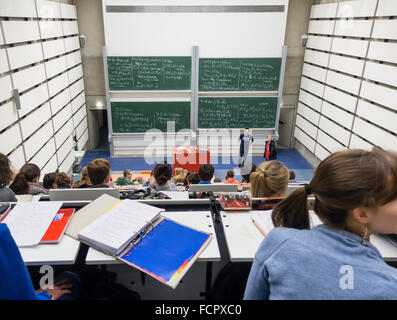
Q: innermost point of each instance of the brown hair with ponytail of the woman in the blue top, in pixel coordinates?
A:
(343, 181)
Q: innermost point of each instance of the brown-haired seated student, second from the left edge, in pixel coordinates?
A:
(27, 181)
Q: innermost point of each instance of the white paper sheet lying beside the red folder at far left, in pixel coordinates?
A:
(29, 221)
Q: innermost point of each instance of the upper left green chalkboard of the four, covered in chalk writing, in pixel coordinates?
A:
(149, 73)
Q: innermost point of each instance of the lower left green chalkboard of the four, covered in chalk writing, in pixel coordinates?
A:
(143, 116)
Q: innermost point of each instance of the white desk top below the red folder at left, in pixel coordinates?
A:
(62, 253)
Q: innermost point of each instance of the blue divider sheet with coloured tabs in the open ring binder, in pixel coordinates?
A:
(166, 250)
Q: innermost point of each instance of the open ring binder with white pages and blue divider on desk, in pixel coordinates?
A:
(138, 235)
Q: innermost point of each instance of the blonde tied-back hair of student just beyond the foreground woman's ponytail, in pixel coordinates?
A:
(270, 179)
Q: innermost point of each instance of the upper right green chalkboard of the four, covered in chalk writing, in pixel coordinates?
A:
(239, 74)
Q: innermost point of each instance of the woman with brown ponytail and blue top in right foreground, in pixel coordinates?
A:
(355, 196)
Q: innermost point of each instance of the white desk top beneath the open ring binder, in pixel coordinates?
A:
(200, 220)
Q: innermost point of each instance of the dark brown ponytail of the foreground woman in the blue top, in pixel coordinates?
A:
(295, 203)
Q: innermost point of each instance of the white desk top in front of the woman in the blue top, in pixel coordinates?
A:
(243, 238)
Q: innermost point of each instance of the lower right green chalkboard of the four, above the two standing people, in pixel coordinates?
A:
(255, 112)
